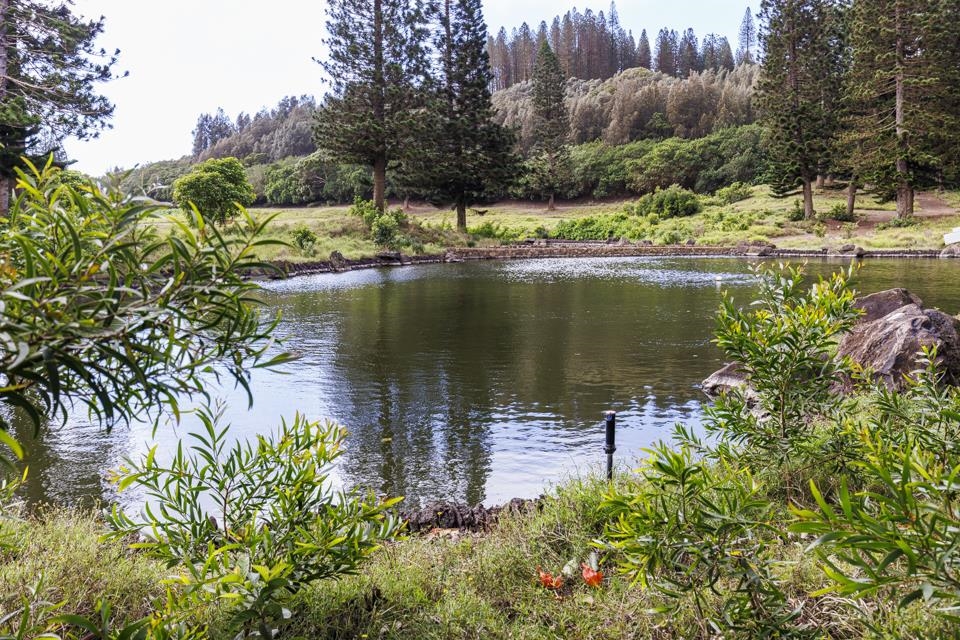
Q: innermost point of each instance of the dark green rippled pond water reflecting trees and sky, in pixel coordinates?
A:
(480, 382)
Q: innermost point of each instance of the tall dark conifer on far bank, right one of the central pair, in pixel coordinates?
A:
(468, 156)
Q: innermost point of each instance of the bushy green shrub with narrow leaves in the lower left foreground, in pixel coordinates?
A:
(252, 524)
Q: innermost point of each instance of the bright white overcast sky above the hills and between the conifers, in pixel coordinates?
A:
(187, 57)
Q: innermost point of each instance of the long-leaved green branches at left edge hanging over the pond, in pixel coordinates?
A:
(103, 311)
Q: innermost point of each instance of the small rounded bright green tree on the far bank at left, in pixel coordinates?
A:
(216, 187)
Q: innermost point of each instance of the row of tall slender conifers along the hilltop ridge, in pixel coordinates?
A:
(596, 46)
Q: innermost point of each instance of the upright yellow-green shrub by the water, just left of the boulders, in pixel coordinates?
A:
(784, 344)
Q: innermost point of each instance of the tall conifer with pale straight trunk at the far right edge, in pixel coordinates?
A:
(905, 94)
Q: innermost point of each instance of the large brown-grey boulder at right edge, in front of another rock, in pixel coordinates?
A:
(888, 346)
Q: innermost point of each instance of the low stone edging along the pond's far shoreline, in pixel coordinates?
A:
(539, 249)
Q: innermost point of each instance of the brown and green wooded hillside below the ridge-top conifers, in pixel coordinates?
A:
(639, 117)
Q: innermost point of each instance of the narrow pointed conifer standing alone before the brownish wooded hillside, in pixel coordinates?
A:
(551, 125)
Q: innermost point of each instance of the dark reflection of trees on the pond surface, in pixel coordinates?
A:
(428, 367)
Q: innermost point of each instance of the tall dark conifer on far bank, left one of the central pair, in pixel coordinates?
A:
(377, 67)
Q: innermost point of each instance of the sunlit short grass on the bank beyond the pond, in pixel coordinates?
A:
(760, 218)
